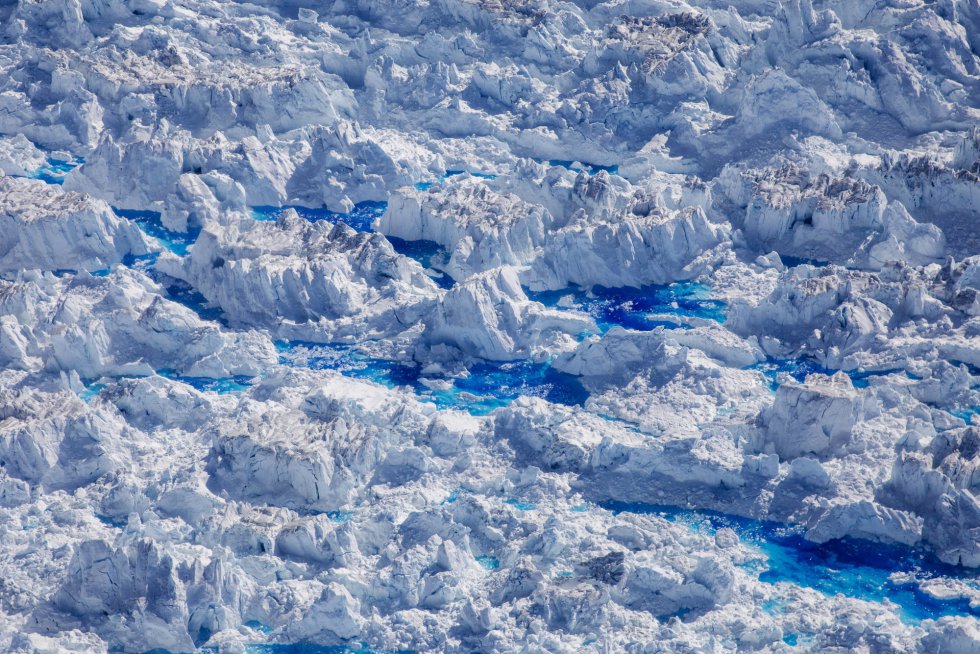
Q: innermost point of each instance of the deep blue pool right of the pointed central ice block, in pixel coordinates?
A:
(635, 308)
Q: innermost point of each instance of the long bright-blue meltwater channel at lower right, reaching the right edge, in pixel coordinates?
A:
(855, 568)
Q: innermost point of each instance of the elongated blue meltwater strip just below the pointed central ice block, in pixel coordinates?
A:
(488, 386)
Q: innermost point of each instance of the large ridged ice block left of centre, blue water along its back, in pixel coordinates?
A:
(292, 270)
